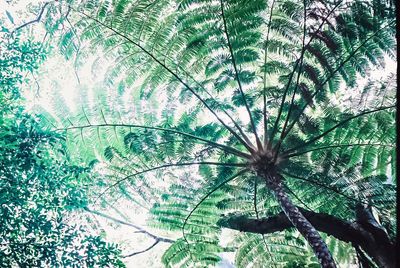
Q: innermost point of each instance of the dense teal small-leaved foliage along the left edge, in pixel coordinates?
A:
(39, 187)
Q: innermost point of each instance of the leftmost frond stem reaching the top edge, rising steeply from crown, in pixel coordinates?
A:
(259, 145)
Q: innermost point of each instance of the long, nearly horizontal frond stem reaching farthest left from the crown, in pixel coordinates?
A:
(224, 147)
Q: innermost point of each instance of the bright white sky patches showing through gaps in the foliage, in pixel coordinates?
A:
(61, 76)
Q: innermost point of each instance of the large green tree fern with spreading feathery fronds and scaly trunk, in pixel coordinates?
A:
(255, 93)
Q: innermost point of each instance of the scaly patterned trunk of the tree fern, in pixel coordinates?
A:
(301, 223)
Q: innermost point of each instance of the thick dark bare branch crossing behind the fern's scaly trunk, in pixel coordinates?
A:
(360, 233)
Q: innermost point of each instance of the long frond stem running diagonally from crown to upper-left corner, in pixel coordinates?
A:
(173, 74)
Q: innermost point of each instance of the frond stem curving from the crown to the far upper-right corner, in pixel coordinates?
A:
(331, 76)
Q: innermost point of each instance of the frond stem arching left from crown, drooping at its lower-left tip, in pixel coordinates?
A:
(167, 166)
